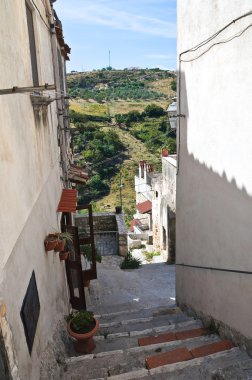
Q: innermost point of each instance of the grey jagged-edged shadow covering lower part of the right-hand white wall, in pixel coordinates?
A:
(213, 238)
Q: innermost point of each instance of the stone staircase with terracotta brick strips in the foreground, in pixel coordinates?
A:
(158, 343)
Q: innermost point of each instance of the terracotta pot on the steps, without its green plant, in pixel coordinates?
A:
(84, 341)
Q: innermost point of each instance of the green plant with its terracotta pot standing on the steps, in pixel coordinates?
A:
(82, 326)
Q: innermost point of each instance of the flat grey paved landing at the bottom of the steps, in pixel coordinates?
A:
(152, 285)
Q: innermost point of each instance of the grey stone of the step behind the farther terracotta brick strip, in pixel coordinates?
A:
(124, 340)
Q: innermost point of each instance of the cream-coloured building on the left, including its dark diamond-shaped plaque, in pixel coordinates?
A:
(35, 161)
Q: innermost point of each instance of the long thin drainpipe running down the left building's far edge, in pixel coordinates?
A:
(59, 101)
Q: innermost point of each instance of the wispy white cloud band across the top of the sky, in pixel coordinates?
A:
(100, 14)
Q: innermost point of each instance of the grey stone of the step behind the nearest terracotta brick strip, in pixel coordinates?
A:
(111, 363)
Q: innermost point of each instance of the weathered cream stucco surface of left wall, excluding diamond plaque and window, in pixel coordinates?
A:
(30, 186)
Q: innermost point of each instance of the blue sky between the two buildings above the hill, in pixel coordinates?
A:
(138, 33)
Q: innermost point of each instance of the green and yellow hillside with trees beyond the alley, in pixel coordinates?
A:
(119, 118)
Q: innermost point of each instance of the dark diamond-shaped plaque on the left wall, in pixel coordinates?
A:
(30, 311)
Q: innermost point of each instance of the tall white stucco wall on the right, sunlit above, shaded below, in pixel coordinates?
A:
(214, 183)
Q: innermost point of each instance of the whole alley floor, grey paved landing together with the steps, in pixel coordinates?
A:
(144, 335)
